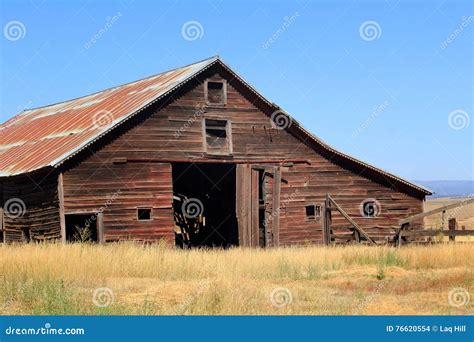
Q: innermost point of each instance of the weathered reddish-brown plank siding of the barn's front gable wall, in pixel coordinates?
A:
(176, 132)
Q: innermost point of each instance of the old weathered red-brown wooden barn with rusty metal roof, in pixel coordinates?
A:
(194, 156)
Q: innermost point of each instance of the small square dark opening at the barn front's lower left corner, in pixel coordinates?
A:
(81, 227)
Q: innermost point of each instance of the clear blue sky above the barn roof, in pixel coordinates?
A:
(379, 80)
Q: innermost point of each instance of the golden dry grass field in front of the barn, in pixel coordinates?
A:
(61, 279)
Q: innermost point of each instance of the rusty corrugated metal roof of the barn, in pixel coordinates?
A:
(47, 136)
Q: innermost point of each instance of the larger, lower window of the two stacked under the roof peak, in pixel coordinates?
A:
(217, 136)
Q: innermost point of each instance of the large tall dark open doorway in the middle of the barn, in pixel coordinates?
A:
(204, 205)
